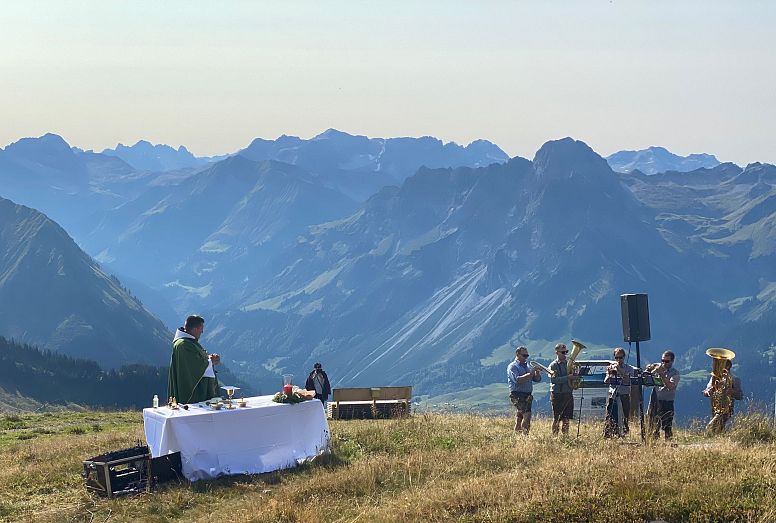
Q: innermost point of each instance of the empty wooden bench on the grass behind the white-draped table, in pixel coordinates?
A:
(370, 402)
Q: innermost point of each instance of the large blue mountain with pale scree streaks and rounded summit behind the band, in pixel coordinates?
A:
(457, 263)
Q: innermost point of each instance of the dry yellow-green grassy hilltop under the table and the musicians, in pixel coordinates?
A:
(428, 468)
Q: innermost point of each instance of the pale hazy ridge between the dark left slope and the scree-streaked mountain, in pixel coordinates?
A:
(209, 234)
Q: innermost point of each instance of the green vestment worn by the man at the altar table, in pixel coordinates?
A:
(187, 366)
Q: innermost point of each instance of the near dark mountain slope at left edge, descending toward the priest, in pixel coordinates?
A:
(55, 296)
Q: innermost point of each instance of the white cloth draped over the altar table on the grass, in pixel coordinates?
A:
(262, 437)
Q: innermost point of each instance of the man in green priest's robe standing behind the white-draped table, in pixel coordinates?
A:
(192, 378)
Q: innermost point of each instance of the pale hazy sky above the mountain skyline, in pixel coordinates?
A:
(691, 76)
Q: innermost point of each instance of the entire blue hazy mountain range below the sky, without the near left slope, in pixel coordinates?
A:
(410, 261)
